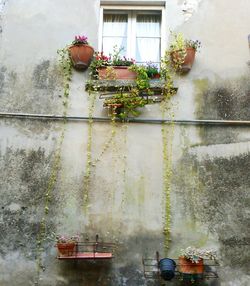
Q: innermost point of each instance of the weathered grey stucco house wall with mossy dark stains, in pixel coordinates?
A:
(45, 168)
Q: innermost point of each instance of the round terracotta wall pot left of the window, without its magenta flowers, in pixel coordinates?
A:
(81, 56)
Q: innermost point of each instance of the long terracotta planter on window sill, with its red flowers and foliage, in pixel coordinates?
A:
(111, 67)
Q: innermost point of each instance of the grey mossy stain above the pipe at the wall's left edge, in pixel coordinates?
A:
(36, 91)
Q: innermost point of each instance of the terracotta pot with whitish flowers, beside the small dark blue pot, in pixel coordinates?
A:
(191, 259)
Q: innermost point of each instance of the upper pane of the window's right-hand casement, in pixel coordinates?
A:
(148, 25)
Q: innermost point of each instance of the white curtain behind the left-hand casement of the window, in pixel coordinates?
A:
(115, 32)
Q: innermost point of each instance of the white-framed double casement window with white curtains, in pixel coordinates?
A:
(138, 30)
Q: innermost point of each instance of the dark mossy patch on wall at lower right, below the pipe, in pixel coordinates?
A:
(224, 202)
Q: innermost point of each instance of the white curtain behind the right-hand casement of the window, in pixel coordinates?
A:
(148, 38)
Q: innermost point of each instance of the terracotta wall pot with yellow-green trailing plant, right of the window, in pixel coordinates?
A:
(181, 53)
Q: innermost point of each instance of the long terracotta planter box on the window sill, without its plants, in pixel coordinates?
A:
(116, 72)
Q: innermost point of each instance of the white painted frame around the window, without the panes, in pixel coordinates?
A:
(131, 52)
